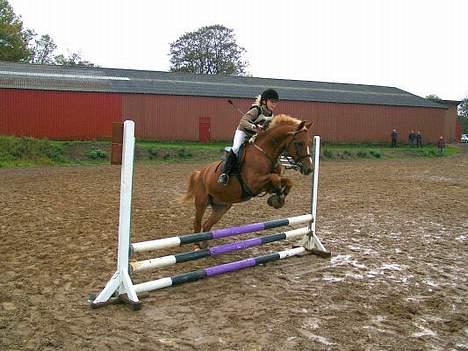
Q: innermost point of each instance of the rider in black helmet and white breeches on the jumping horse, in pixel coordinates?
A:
(256, 118)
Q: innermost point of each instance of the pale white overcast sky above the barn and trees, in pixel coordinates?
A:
(416, 45)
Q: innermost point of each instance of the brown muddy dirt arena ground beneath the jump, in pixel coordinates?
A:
(397, 279)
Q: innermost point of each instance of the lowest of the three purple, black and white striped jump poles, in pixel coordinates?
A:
(215, 270)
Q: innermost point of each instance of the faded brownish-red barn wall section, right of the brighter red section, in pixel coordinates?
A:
(177, 118)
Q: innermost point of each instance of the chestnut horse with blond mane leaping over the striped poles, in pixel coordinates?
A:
(260, 172)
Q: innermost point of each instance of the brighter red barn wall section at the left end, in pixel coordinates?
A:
(58, 115)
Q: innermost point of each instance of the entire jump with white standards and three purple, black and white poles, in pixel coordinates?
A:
(120, 288)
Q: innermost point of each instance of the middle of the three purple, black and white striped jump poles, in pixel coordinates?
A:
(215, 250)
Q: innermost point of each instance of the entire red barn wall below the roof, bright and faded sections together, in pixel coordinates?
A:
(79, 115)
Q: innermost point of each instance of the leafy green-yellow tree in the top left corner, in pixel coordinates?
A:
(13, 37)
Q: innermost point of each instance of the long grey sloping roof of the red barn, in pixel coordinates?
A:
(97, 79)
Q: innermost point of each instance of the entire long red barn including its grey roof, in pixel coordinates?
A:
(70, 103)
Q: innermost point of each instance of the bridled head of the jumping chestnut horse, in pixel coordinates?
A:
(299, 147)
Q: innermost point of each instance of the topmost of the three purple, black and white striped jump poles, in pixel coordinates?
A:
(217, 234)
